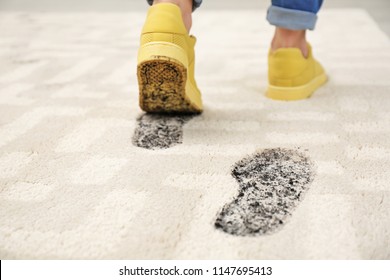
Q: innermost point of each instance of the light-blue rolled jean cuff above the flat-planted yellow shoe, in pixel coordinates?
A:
(291, 19)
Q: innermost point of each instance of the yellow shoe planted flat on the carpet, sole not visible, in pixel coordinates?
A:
(291, 76)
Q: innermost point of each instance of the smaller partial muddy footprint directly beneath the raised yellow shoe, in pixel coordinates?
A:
(159, 131)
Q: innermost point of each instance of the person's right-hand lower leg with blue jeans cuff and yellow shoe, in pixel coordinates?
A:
(293, 72)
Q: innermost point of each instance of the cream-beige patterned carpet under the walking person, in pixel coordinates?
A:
(74, 184)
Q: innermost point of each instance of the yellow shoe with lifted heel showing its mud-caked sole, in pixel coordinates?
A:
(166, 60)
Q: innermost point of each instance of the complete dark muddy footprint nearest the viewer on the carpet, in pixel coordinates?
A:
(272, 183)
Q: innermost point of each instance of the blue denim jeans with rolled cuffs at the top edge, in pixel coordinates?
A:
(289, 14)
